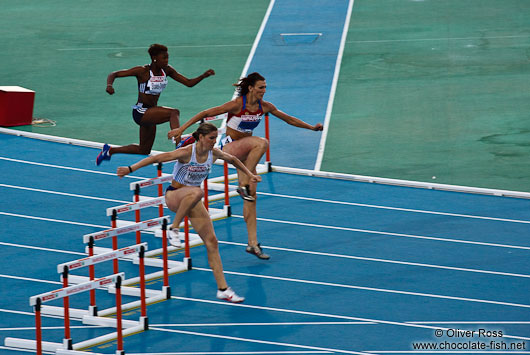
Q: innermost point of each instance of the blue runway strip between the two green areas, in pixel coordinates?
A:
(288, 42)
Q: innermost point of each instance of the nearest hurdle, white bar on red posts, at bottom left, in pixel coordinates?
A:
(65, 293)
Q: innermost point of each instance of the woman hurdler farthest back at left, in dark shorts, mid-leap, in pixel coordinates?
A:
(152, 79)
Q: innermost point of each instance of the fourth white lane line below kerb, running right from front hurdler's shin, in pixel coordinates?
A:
(373, 289)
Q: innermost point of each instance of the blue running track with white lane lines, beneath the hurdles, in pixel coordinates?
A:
(355, 267)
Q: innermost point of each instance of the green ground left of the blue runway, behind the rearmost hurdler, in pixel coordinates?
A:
(64, 50)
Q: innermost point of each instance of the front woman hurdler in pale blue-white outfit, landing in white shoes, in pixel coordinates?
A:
(184, 195)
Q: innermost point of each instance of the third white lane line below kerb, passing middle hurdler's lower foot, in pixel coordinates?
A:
(385, 260)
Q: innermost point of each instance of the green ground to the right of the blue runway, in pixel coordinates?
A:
(435, 88)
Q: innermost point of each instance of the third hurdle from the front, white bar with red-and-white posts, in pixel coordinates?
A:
(168, 267)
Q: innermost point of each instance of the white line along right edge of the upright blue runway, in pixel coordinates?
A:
(331, 98)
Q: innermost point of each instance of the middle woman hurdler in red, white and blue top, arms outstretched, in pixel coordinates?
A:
(244, 114)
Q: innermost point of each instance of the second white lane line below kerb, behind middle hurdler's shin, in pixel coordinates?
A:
(390, 233)
